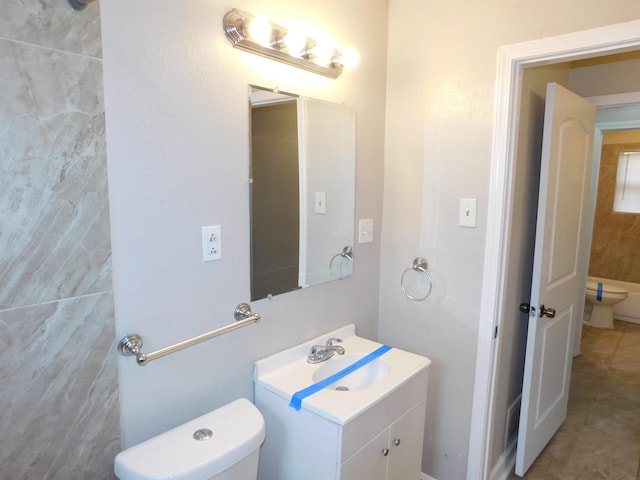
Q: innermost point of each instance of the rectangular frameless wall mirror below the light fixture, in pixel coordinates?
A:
(302, 171)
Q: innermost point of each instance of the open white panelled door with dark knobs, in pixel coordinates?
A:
(557, 272)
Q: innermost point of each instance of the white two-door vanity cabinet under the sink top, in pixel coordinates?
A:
(383, 442)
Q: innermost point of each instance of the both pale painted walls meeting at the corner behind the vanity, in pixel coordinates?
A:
(177, 150)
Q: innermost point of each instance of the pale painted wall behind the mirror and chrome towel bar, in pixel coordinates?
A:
(177, 138)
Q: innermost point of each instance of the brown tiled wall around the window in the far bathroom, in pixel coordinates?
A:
(616, 236)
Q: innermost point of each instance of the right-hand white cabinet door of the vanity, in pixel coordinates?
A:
(405, 439)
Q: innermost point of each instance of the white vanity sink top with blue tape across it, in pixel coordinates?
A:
(288, 372)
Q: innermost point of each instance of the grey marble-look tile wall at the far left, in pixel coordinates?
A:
(58, 381)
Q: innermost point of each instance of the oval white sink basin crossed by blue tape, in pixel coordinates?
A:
(364, 377)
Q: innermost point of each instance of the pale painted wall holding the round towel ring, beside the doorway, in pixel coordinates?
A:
(442, 60)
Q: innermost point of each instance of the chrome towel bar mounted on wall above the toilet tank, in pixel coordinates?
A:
(131, 344)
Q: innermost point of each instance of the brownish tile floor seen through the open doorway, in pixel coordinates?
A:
(600, 439)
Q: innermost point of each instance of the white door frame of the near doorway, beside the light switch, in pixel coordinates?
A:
(512, 59)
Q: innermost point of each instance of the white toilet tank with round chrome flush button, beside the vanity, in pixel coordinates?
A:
(221, 445)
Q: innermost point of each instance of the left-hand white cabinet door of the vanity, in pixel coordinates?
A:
(370, 462)
